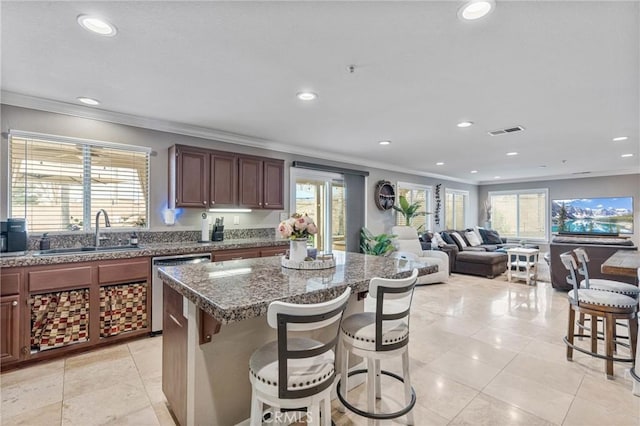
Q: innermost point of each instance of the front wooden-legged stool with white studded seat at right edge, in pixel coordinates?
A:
(598, 304)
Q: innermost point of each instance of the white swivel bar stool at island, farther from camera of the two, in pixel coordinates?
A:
(377, 336)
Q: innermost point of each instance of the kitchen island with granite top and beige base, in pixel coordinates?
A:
(219, 315)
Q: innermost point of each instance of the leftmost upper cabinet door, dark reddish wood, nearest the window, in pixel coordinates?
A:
(192, 178)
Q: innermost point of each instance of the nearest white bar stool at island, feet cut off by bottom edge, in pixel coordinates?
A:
(297, 372)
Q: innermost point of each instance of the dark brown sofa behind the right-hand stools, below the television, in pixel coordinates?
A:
(598, 249)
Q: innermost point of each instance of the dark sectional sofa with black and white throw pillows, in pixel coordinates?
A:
(482, 254)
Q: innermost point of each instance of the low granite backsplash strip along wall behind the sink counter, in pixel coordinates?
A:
(144, 237)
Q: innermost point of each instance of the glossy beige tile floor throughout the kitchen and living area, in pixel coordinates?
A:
(483, 352)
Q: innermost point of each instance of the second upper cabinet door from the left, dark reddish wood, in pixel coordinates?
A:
(224, 180)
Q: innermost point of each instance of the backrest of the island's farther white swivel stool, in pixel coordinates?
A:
(395, 295)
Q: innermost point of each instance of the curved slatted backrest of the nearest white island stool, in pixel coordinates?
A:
(290, 317)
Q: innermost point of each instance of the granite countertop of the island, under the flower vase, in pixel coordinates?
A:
(241, 289)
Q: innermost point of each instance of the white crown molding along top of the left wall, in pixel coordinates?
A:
(49, 105)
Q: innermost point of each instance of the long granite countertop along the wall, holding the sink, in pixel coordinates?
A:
(31, 258)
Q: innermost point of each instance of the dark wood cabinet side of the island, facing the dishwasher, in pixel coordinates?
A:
(174, 354)
